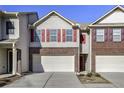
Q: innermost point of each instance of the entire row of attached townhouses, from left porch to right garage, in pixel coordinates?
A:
(54, 43)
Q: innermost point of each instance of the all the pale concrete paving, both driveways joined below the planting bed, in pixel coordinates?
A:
(64, 80)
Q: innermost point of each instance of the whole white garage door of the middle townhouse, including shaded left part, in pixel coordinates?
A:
(53, 63)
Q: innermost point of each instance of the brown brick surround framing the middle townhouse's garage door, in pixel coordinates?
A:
(54, 52)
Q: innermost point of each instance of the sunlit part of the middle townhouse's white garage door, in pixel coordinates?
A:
(58, 63)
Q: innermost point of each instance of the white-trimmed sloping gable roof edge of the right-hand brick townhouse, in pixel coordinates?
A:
(107, 14)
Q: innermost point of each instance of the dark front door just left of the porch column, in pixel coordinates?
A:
(10, 61)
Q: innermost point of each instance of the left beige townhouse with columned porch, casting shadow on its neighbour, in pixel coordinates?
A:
(14, 41)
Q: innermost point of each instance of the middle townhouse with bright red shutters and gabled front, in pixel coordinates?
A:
(54, 45)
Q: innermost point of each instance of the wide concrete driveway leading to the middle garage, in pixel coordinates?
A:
(47, 80)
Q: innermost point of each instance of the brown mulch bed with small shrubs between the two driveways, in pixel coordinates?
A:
(84, 79)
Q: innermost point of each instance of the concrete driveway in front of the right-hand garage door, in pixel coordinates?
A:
(117, 78)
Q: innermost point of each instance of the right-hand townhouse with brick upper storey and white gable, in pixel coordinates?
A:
(108, 42)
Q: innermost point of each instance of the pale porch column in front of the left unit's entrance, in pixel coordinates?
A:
(14, 67)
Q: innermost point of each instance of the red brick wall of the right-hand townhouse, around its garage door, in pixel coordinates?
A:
(106, 48)
